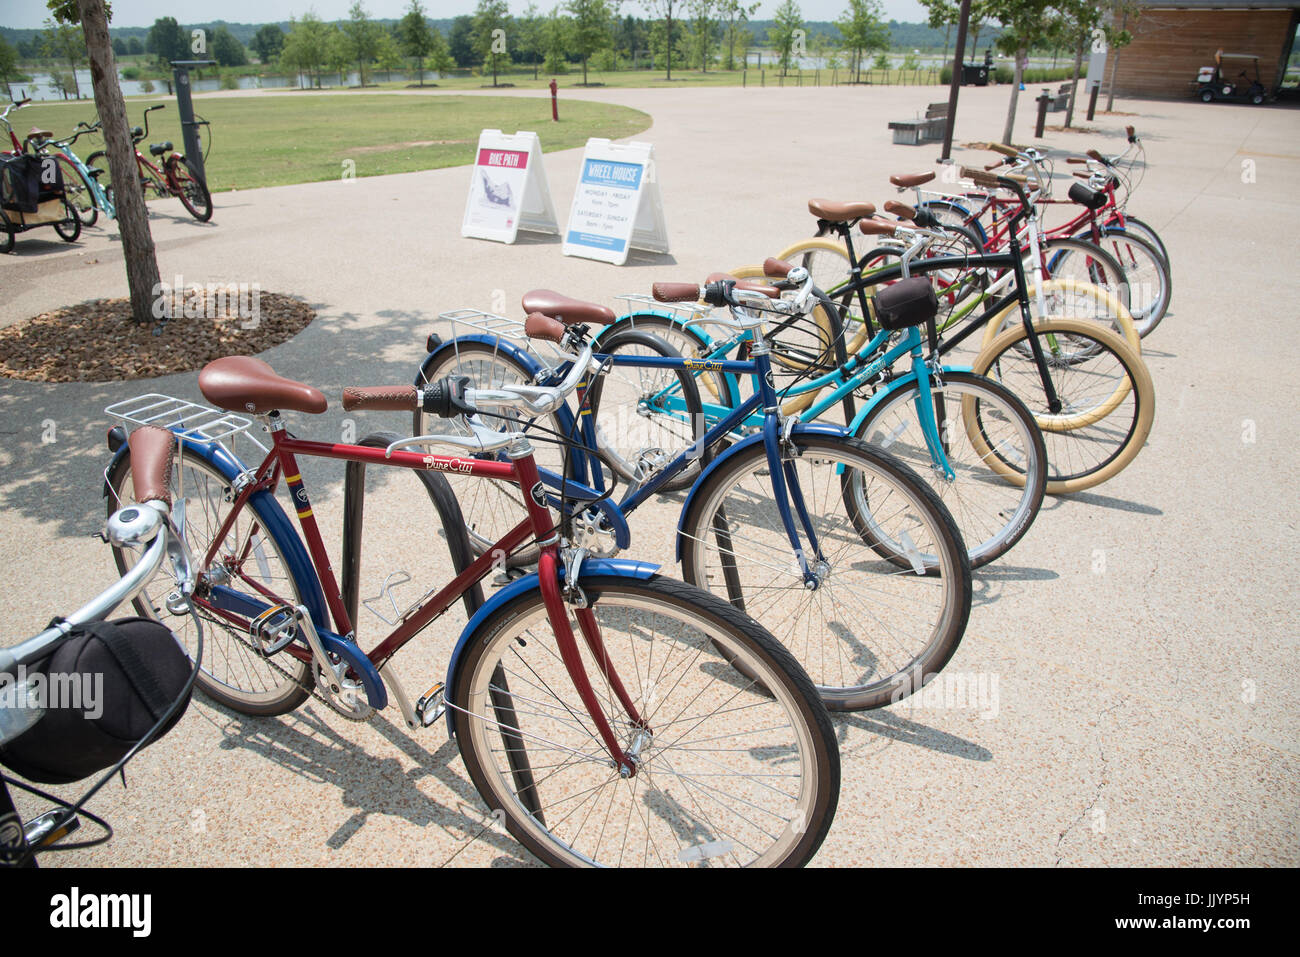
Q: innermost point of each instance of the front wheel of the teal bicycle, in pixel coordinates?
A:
(998, 454)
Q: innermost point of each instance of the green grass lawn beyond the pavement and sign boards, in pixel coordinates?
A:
(280, 140)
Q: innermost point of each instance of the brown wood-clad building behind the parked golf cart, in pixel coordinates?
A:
(1175, 38)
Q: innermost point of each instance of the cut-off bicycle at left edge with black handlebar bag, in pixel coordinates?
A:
(150, 529)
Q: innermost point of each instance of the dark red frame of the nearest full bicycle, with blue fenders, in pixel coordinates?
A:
(281, 465)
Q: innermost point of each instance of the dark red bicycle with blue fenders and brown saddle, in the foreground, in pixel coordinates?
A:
(673, 731)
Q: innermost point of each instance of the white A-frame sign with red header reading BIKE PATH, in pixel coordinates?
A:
(509, 190)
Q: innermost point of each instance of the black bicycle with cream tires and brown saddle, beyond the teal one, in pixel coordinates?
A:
(1089, 389)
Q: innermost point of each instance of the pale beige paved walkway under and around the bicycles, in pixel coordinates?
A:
(1142, 636)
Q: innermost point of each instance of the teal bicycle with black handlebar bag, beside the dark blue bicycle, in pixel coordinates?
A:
(977, 444)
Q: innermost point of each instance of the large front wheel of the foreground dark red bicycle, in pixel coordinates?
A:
(736, 759)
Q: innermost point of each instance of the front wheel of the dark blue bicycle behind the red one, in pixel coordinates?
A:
(735, 504)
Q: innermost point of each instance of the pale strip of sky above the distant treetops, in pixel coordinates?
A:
(32, 14)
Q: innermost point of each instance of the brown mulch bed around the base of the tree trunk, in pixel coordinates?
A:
(101, 343)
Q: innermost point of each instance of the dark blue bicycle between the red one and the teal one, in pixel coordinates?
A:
(835, 545)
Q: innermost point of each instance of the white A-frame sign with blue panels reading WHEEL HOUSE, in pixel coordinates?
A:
(617, 205)
